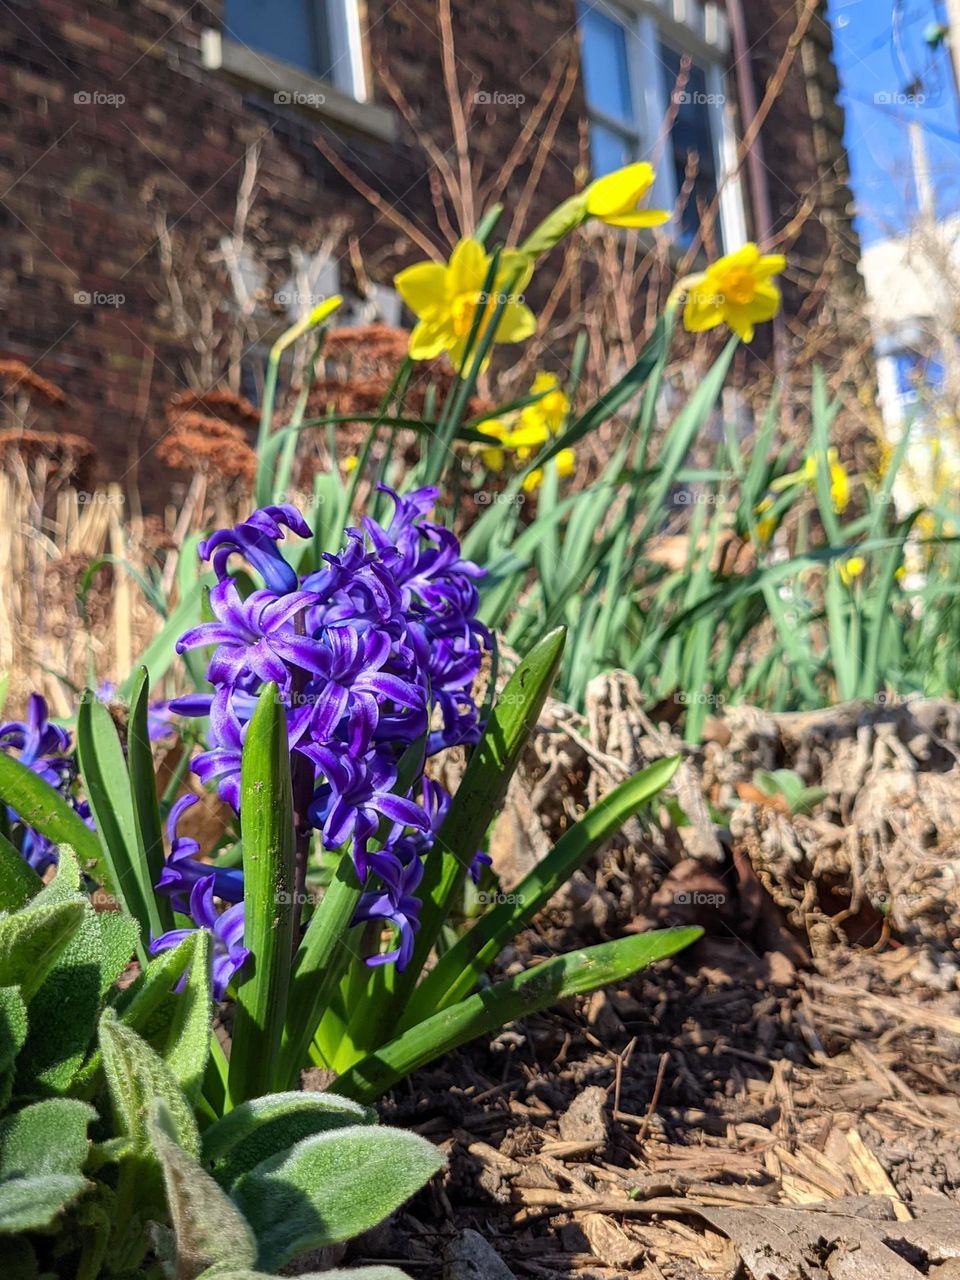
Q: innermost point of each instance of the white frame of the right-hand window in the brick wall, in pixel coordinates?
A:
(701, 33)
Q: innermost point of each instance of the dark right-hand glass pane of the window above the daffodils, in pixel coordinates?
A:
(693, 134)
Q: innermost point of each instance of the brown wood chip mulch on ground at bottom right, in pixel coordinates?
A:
(723, 1117)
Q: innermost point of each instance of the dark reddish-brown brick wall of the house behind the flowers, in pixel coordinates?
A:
(84, 182)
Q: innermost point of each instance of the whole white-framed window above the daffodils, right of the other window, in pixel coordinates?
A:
(633, 62)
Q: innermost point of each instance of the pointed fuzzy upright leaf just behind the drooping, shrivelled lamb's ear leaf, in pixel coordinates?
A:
(138, 1077)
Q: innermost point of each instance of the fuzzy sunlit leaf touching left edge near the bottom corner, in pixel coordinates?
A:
(45, 1139)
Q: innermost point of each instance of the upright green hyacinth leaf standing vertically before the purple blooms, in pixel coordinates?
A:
(269, 893)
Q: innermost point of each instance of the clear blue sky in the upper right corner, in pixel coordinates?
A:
(875, 71)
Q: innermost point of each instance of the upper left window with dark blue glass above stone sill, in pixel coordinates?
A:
(317, 36)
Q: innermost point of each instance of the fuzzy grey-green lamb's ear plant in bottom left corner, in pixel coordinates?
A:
(112, 1163)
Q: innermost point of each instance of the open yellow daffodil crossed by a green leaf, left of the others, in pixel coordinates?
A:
(447, 299)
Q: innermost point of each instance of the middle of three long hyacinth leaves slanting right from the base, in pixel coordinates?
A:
(458, 972)
